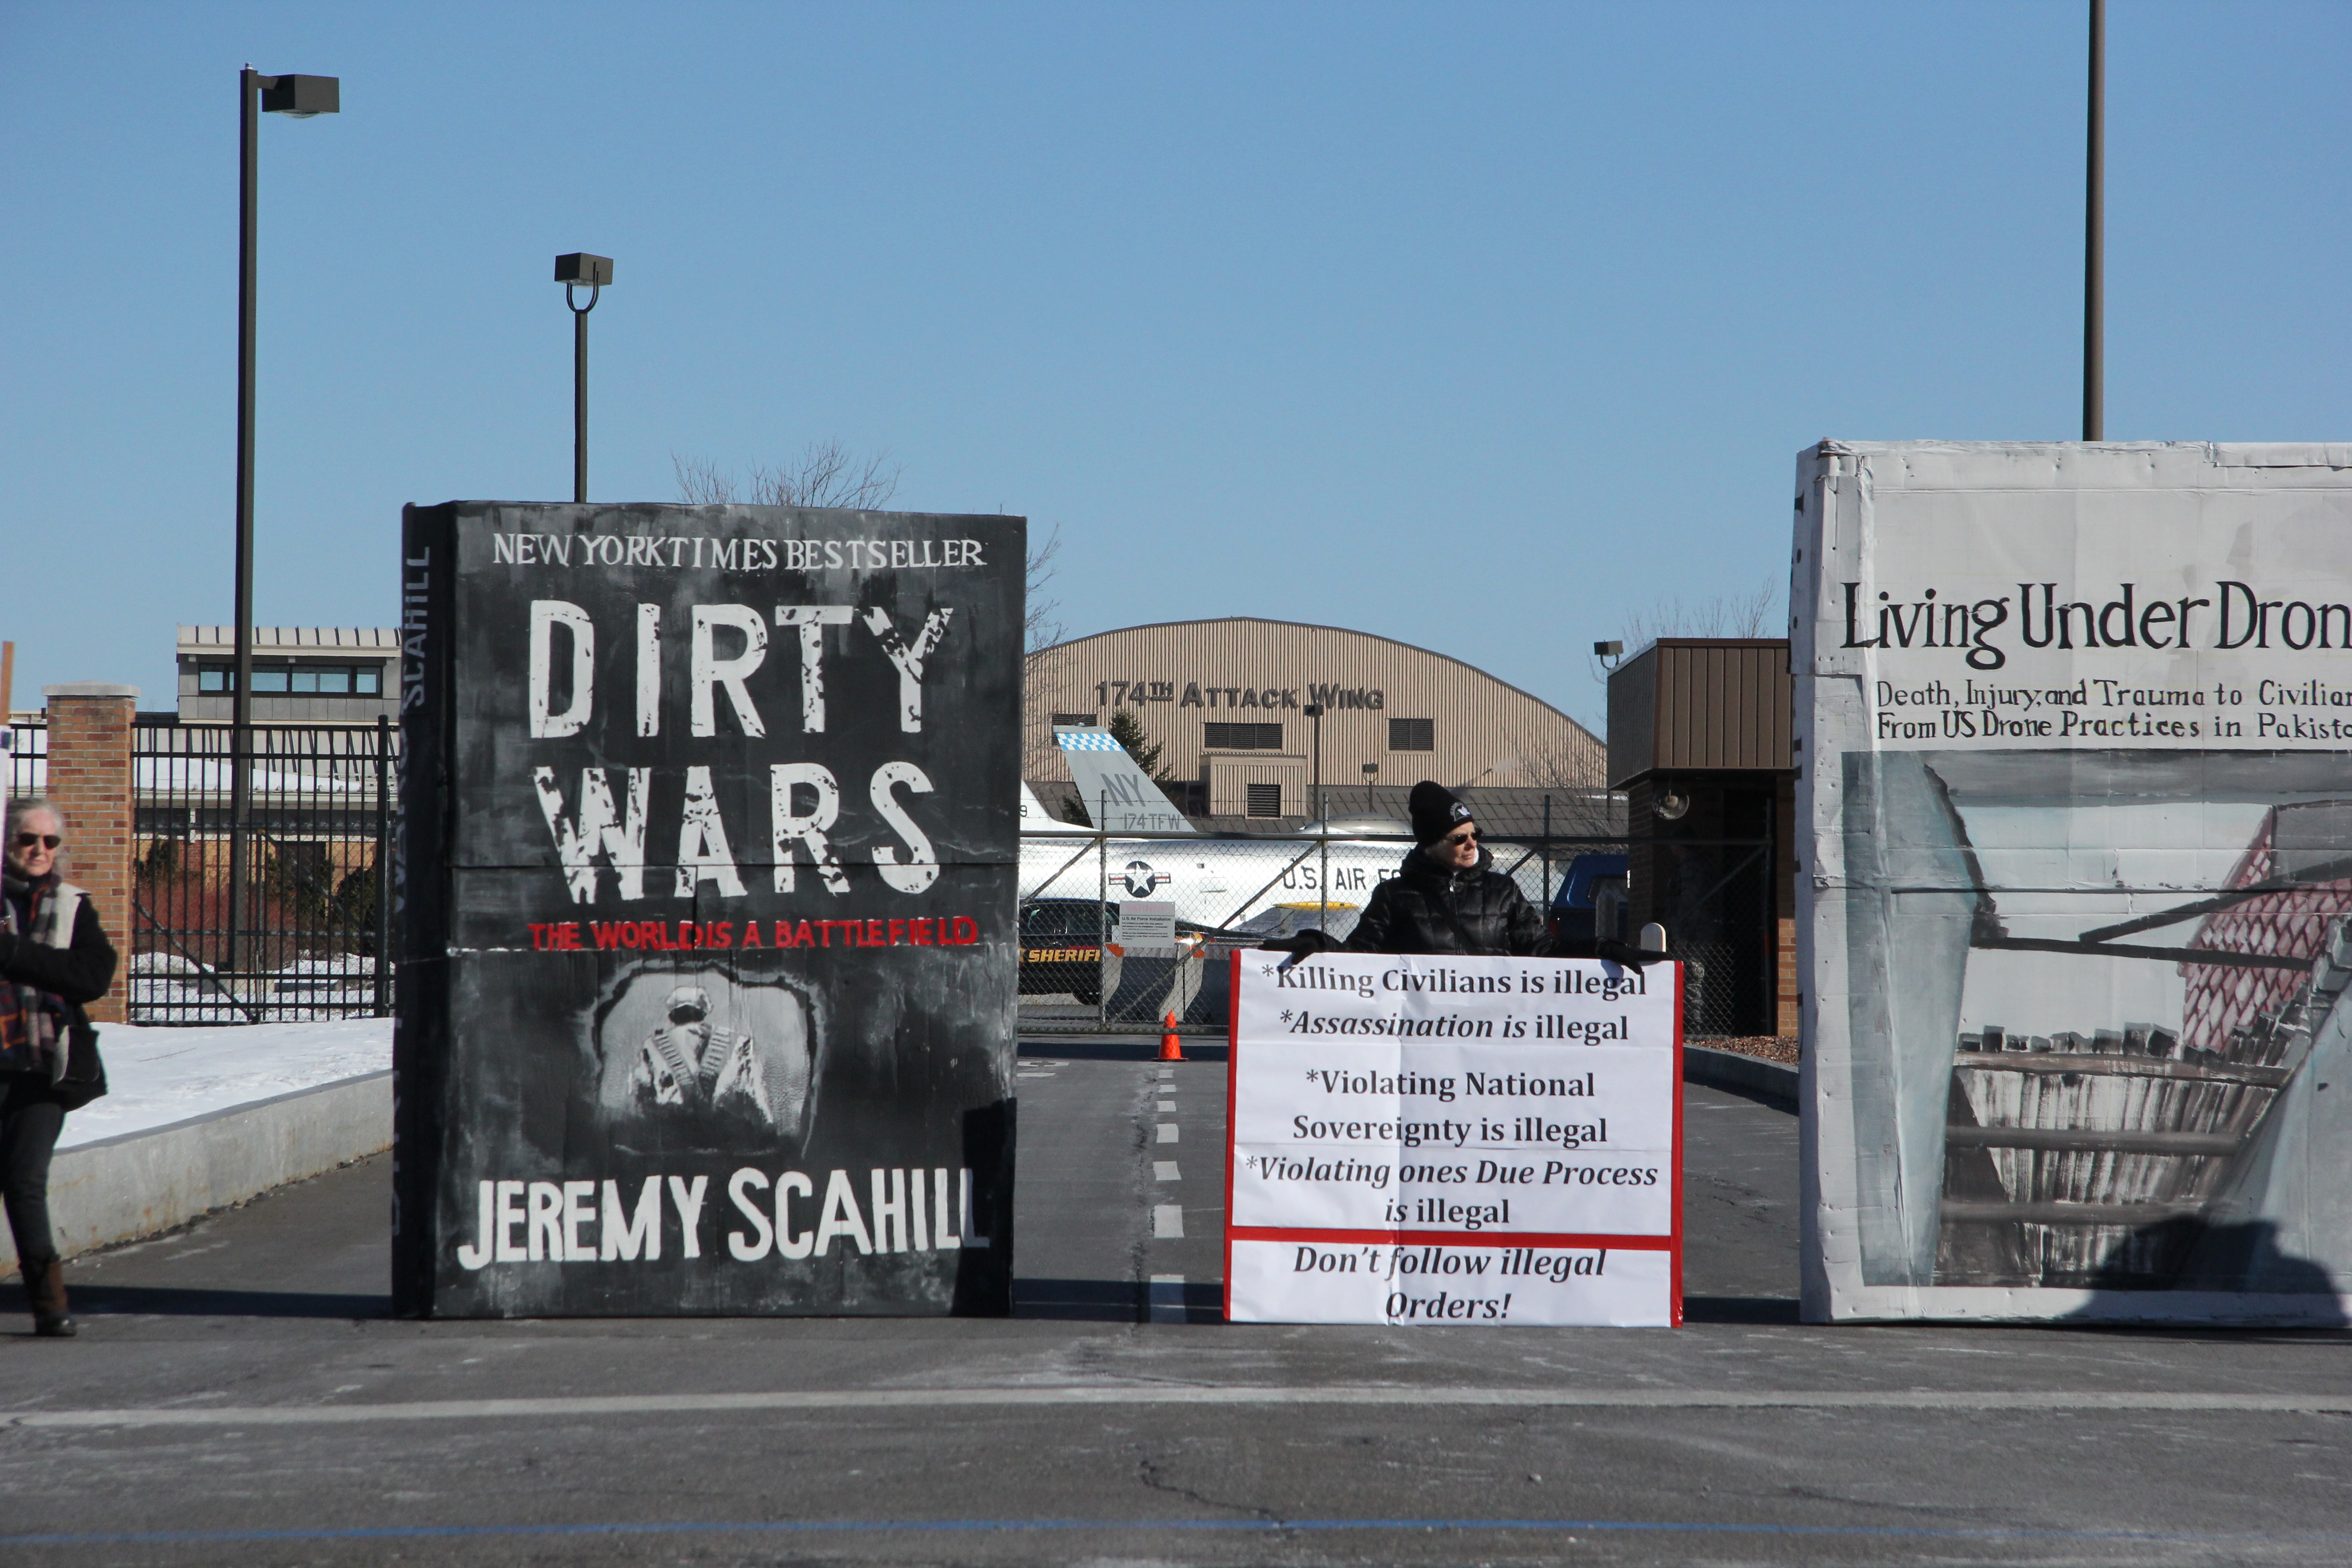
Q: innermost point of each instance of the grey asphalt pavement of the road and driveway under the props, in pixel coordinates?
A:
(241, 1395)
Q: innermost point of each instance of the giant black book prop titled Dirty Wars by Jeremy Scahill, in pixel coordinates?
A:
(707, 911)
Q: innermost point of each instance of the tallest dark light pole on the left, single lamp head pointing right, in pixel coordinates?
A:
(295, 98)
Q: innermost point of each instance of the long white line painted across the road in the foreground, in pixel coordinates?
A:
(1198, 1395)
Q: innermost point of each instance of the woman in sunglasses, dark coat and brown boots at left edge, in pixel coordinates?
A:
(53, 963)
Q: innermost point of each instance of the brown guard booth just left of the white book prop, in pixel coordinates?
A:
(1699, 742)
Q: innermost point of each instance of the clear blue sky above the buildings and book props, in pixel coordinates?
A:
(1474, 326)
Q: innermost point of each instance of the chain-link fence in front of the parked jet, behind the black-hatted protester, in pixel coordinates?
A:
(1095, 963)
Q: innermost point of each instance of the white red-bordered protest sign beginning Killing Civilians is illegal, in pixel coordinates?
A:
(1455, 1141)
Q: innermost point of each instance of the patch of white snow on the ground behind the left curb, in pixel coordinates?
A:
(159, 1078)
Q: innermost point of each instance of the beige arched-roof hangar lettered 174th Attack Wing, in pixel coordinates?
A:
(1227, 704)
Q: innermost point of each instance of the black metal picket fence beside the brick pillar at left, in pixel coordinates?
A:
(321, 808)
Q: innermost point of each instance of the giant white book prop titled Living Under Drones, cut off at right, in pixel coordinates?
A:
(2076, 822)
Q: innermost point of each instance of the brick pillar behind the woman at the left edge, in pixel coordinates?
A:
(91, 784)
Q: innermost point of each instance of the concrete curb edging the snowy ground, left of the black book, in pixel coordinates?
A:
(142, 1184)
